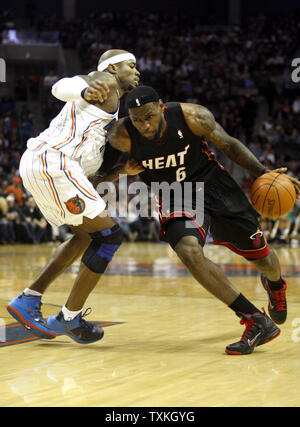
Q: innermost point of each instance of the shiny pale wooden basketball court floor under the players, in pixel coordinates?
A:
(164, 339)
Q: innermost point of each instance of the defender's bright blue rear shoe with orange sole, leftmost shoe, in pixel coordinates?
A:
(27, 311)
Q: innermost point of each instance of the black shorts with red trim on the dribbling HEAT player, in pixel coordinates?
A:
(227, 215)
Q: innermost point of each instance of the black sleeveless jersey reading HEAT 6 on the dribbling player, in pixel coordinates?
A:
(178, 156)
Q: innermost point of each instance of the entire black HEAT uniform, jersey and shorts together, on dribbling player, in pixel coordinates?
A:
(184, 157)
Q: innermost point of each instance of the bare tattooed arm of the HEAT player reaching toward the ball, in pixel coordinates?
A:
(202, 123)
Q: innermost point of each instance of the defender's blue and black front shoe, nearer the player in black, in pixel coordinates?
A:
(78, 329)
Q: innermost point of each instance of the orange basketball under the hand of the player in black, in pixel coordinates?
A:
(273, 195)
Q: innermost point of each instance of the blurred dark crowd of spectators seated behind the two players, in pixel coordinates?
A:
(242, 74)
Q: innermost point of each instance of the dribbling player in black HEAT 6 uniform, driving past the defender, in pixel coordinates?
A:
(169, 142)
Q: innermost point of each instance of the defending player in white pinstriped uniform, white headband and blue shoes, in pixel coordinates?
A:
(55, 169)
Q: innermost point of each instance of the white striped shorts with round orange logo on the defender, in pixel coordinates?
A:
(60, 189)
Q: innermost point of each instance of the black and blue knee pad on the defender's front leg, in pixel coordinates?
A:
(102, 248)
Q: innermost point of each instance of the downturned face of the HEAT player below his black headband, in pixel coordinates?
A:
(149, 120)
